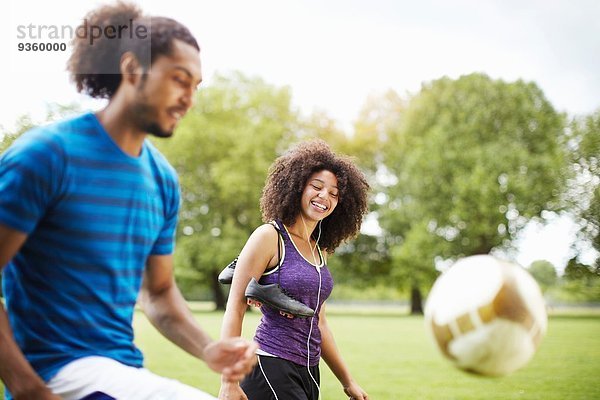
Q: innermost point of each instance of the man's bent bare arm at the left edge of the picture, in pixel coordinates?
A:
(16, 373)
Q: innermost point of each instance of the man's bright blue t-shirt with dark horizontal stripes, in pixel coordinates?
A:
(93, 215)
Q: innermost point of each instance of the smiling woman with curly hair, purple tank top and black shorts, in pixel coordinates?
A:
(314, 200)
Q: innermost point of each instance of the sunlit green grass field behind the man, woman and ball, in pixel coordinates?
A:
(392, 357)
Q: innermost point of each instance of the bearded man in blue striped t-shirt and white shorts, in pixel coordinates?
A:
(88, 210)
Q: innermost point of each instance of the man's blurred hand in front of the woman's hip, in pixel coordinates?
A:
(233, 357)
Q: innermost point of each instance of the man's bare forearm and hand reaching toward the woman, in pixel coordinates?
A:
(167, 310)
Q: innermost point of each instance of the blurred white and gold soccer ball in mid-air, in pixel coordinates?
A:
(487, 316)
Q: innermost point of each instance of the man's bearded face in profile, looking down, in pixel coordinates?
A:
(165, 93)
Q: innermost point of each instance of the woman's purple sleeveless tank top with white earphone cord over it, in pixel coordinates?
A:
(288, 338)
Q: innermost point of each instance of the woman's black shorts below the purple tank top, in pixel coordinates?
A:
(289, 380)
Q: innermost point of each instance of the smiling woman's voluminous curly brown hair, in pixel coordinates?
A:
(288, 176)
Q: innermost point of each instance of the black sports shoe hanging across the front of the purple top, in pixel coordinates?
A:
(273, 295)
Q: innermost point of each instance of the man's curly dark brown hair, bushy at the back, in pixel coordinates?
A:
(94, 67)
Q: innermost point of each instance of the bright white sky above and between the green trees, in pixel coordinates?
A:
(334, 54)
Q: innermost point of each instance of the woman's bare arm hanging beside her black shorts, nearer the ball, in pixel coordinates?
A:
(334, 361)
